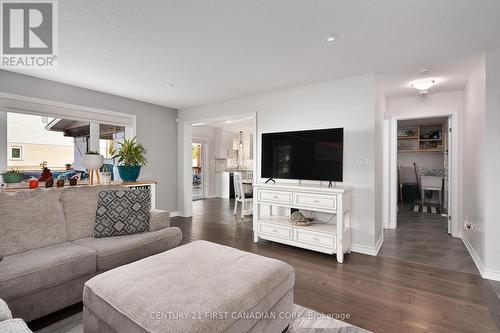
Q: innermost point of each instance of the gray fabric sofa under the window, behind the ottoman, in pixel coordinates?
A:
(46, 239)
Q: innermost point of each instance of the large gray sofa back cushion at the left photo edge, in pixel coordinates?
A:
(30, 220)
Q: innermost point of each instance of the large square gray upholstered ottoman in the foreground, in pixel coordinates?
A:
(198, 287)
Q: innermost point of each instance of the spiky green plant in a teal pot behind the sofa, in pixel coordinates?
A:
(131, 156)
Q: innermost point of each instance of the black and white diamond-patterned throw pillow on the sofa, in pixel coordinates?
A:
(122, 212)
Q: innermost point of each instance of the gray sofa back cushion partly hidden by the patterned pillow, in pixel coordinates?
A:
(80, 205)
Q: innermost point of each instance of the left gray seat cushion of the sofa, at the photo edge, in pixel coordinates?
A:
(34, 270)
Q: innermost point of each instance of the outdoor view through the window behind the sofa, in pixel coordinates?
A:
(34, 142)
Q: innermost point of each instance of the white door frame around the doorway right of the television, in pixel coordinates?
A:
(454, 168)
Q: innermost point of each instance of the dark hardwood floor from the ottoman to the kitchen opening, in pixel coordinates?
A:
(380, 294)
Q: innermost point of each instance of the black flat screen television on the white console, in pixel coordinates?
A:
(304, 155)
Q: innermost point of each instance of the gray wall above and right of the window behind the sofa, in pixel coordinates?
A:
(156, 125)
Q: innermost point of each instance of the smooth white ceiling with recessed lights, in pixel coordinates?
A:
(217, 50)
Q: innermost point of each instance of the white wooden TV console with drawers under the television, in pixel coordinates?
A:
(332, 237)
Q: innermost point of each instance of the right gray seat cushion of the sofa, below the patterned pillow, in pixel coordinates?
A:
(116, 251)
